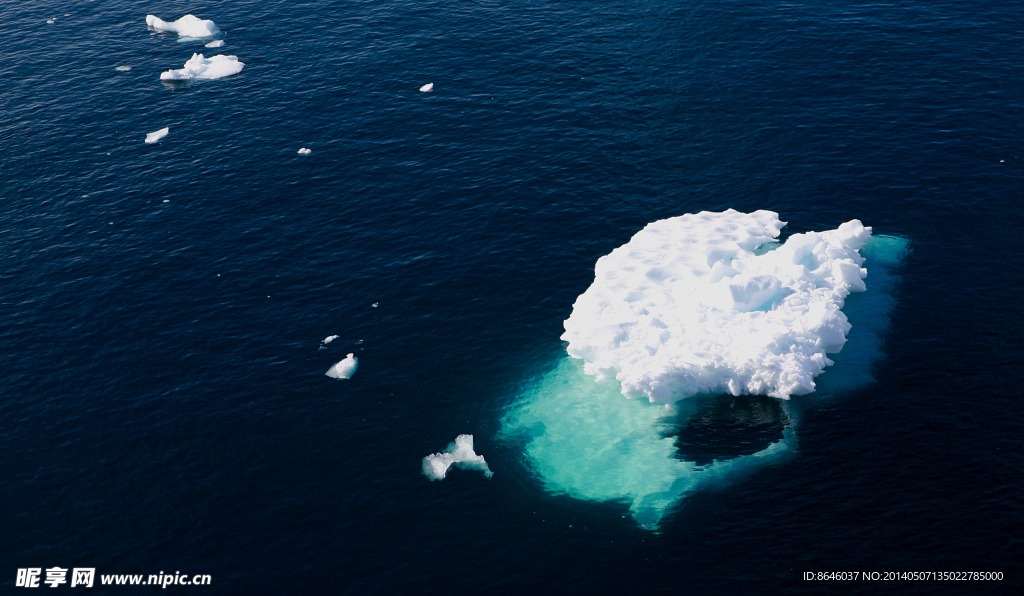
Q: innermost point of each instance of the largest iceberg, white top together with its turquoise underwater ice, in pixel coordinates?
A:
(698, 306)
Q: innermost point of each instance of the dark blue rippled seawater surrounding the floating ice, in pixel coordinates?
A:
(164, 407)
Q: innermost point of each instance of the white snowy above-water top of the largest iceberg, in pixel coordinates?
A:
(696, 305)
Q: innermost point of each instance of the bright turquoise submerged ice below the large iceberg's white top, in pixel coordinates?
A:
(584, 440)
